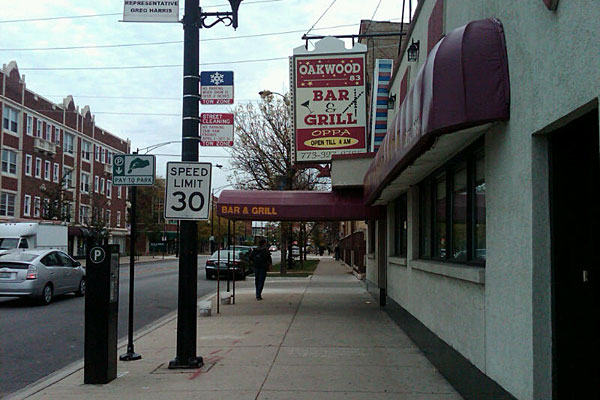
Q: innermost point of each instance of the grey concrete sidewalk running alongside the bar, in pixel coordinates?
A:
(319, 338)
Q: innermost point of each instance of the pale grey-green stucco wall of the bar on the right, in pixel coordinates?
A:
(504, 326)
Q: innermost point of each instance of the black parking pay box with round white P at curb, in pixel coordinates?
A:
(101, 311)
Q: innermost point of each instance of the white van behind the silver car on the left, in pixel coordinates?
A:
(31, 235)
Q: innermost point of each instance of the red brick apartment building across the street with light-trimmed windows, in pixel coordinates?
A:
(57, 148)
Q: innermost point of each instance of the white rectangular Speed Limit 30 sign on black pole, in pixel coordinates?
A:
(188, 190)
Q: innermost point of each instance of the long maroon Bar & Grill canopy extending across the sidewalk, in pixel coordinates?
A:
(295, 206)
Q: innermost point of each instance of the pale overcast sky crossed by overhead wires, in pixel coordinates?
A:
(276, 27)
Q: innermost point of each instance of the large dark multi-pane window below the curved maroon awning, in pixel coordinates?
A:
(452, 210)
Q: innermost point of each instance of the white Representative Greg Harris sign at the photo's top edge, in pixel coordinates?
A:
(151, 11)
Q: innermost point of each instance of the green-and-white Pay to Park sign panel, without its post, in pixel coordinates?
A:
(134, 170)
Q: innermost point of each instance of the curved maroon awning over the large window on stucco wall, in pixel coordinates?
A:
(464, 83)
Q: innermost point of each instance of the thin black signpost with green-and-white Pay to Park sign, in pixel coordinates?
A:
(133, 170)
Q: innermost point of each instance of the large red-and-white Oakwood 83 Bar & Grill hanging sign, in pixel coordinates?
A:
(330, 108)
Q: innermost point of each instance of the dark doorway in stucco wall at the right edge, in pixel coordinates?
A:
(575, 216)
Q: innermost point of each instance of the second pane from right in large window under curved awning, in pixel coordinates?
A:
(459, 213)
